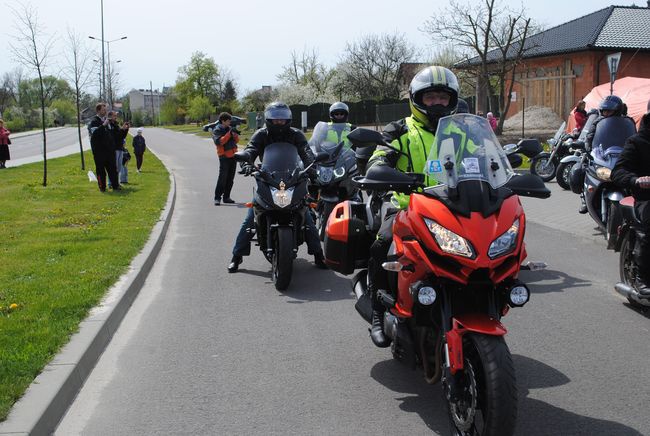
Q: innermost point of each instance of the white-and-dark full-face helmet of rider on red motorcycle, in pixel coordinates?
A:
(432, 78)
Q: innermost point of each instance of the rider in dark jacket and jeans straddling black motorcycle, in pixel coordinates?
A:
(277, 128)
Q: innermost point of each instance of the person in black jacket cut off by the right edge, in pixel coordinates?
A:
(632, 171)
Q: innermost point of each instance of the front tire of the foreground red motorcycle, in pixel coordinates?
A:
(488, 388)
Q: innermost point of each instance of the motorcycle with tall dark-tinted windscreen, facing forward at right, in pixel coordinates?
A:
(600, 193)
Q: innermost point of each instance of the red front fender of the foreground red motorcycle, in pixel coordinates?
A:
(471, 322)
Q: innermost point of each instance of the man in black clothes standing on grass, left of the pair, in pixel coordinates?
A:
(102, 144)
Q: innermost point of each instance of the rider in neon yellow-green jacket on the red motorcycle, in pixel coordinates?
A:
(433, 94)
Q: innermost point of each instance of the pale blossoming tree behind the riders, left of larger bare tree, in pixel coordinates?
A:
(306, 70)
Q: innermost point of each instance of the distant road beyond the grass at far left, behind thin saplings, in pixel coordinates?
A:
(60, 142)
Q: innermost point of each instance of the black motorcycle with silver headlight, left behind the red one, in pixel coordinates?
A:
(280, 206)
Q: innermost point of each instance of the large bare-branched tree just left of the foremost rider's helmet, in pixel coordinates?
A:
(370, 68)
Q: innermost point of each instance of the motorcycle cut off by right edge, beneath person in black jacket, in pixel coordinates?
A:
(629, 231)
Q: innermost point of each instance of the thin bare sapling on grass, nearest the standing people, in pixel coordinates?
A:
(78, 70)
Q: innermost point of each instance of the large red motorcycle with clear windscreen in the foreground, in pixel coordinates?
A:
(453, 266)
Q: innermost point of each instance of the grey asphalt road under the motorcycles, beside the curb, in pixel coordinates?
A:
(206, 352)
